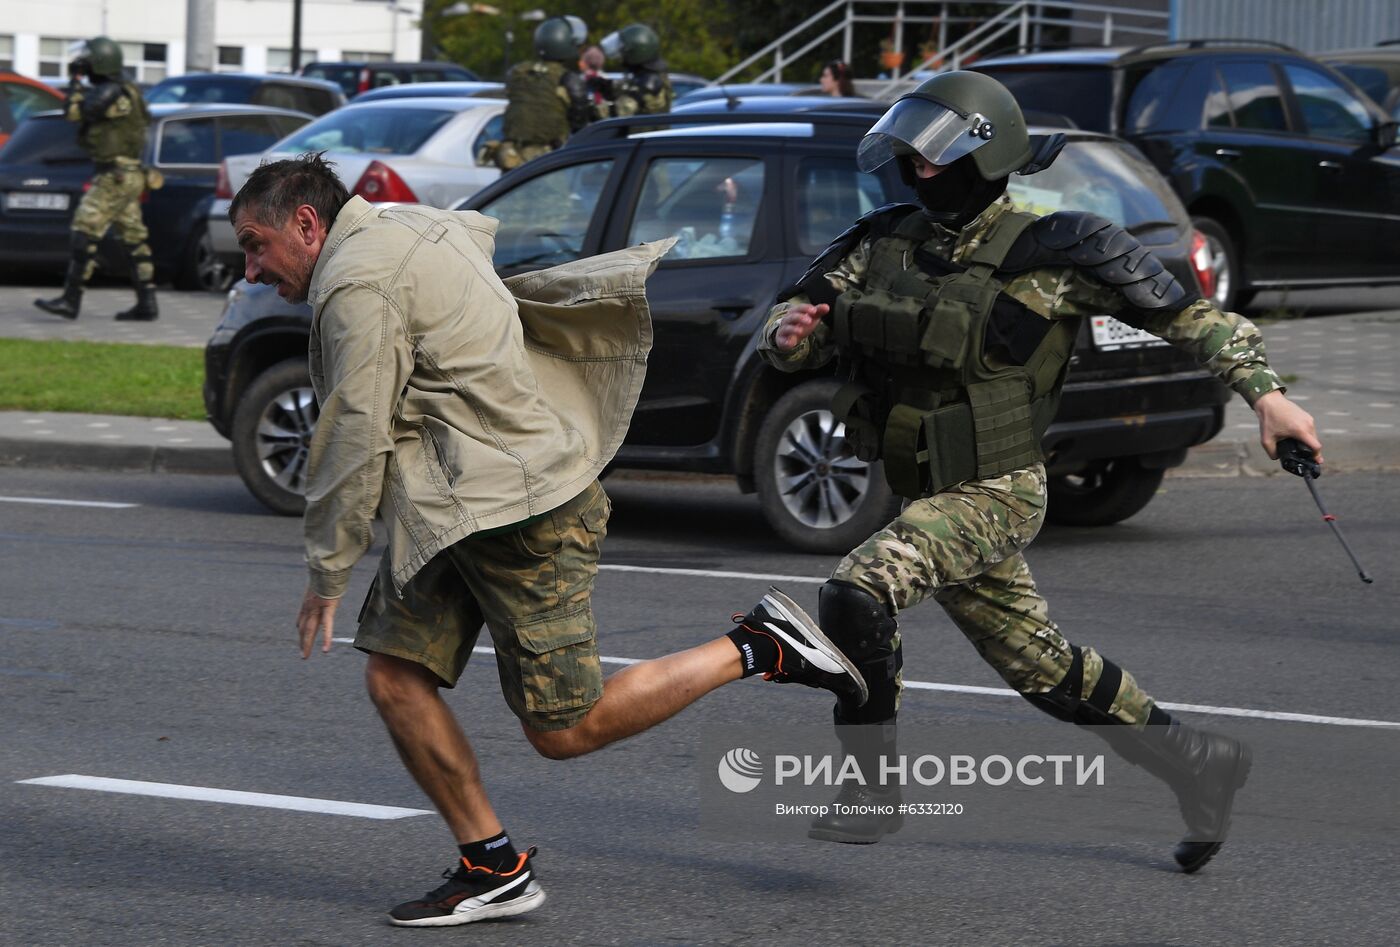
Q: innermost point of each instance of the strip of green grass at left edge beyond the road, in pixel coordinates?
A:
(103, 379)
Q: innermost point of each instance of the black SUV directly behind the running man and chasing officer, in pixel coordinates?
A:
(752, 201)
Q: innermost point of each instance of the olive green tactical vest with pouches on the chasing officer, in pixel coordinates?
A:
(930, 390)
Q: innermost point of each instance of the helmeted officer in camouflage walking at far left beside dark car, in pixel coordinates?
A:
(113, 123)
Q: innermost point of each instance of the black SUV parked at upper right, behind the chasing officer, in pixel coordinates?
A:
(1286, 166)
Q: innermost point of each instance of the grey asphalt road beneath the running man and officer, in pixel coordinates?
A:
(155, 644)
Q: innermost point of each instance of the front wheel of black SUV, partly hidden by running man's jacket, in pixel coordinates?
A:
(272, 432)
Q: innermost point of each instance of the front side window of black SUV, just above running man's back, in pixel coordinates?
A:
(544, 221)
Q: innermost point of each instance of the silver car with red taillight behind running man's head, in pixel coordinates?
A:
(405, 151)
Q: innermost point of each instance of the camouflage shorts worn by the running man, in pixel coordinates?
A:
(533, 588)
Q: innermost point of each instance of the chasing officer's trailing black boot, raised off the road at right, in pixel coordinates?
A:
(1203, 768)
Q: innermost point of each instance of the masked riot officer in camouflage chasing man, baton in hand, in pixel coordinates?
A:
(957, 319)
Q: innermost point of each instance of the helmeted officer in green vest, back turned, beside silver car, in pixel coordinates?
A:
(547, 99)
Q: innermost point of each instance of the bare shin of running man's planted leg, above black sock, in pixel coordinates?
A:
(432, 745)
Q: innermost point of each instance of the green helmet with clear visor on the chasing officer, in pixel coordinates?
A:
(948, 117)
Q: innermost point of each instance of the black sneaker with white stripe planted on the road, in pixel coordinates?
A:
(474, 893)
